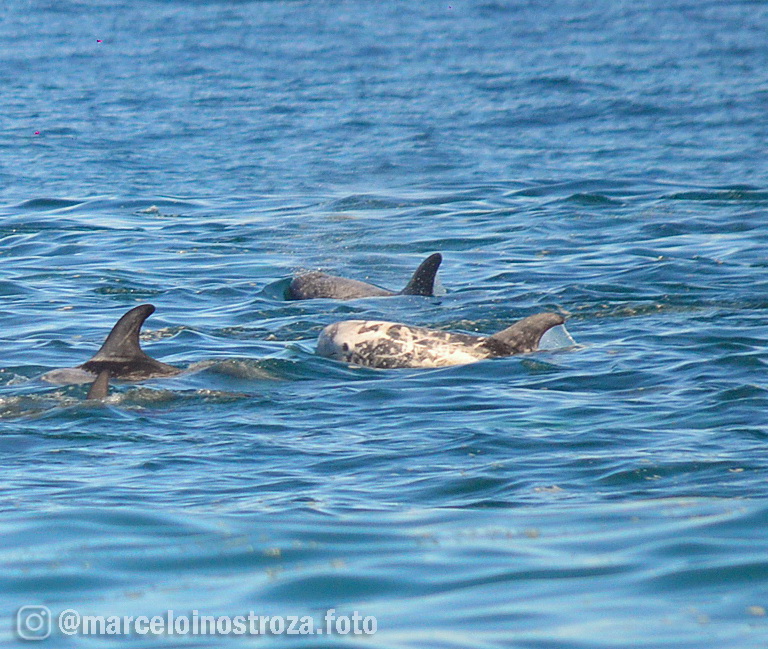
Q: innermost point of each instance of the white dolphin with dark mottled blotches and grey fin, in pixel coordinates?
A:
(391, 344)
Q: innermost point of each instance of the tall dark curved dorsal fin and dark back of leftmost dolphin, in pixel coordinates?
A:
(121, 352)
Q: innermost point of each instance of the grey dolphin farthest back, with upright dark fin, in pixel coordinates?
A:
(317, 284)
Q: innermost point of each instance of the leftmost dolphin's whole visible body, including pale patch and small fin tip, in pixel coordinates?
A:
(121, 357)
